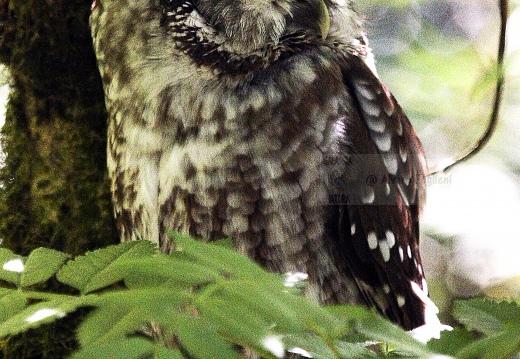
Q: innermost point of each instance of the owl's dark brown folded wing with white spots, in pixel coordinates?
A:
(378, 228)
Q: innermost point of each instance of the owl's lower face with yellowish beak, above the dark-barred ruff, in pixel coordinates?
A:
(247, 25)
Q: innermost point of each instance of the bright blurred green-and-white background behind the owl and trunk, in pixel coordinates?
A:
(438, 57)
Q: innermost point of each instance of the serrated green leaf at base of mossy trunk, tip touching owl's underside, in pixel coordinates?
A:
(96, 270)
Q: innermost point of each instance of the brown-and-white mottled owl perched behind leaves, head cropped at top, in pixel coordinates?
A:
(265, 121)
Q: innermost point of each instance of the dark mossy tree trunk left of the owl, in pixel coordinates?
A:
(53, 187)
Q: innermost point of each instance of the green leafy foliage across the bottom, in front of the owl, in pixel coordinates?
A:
(206, 301)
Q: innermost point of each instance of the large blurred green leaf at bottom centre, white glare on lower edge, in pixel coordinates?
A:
(248, 313)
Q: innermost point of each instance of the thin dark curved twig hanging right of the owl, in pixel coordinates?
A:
(493, 120)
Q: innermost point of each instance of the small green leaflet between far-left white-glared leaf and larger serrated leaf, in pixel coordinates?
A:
(41, 264)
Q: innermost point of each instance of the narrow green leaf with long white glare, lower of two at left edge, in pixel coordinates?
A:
(41, 313)
